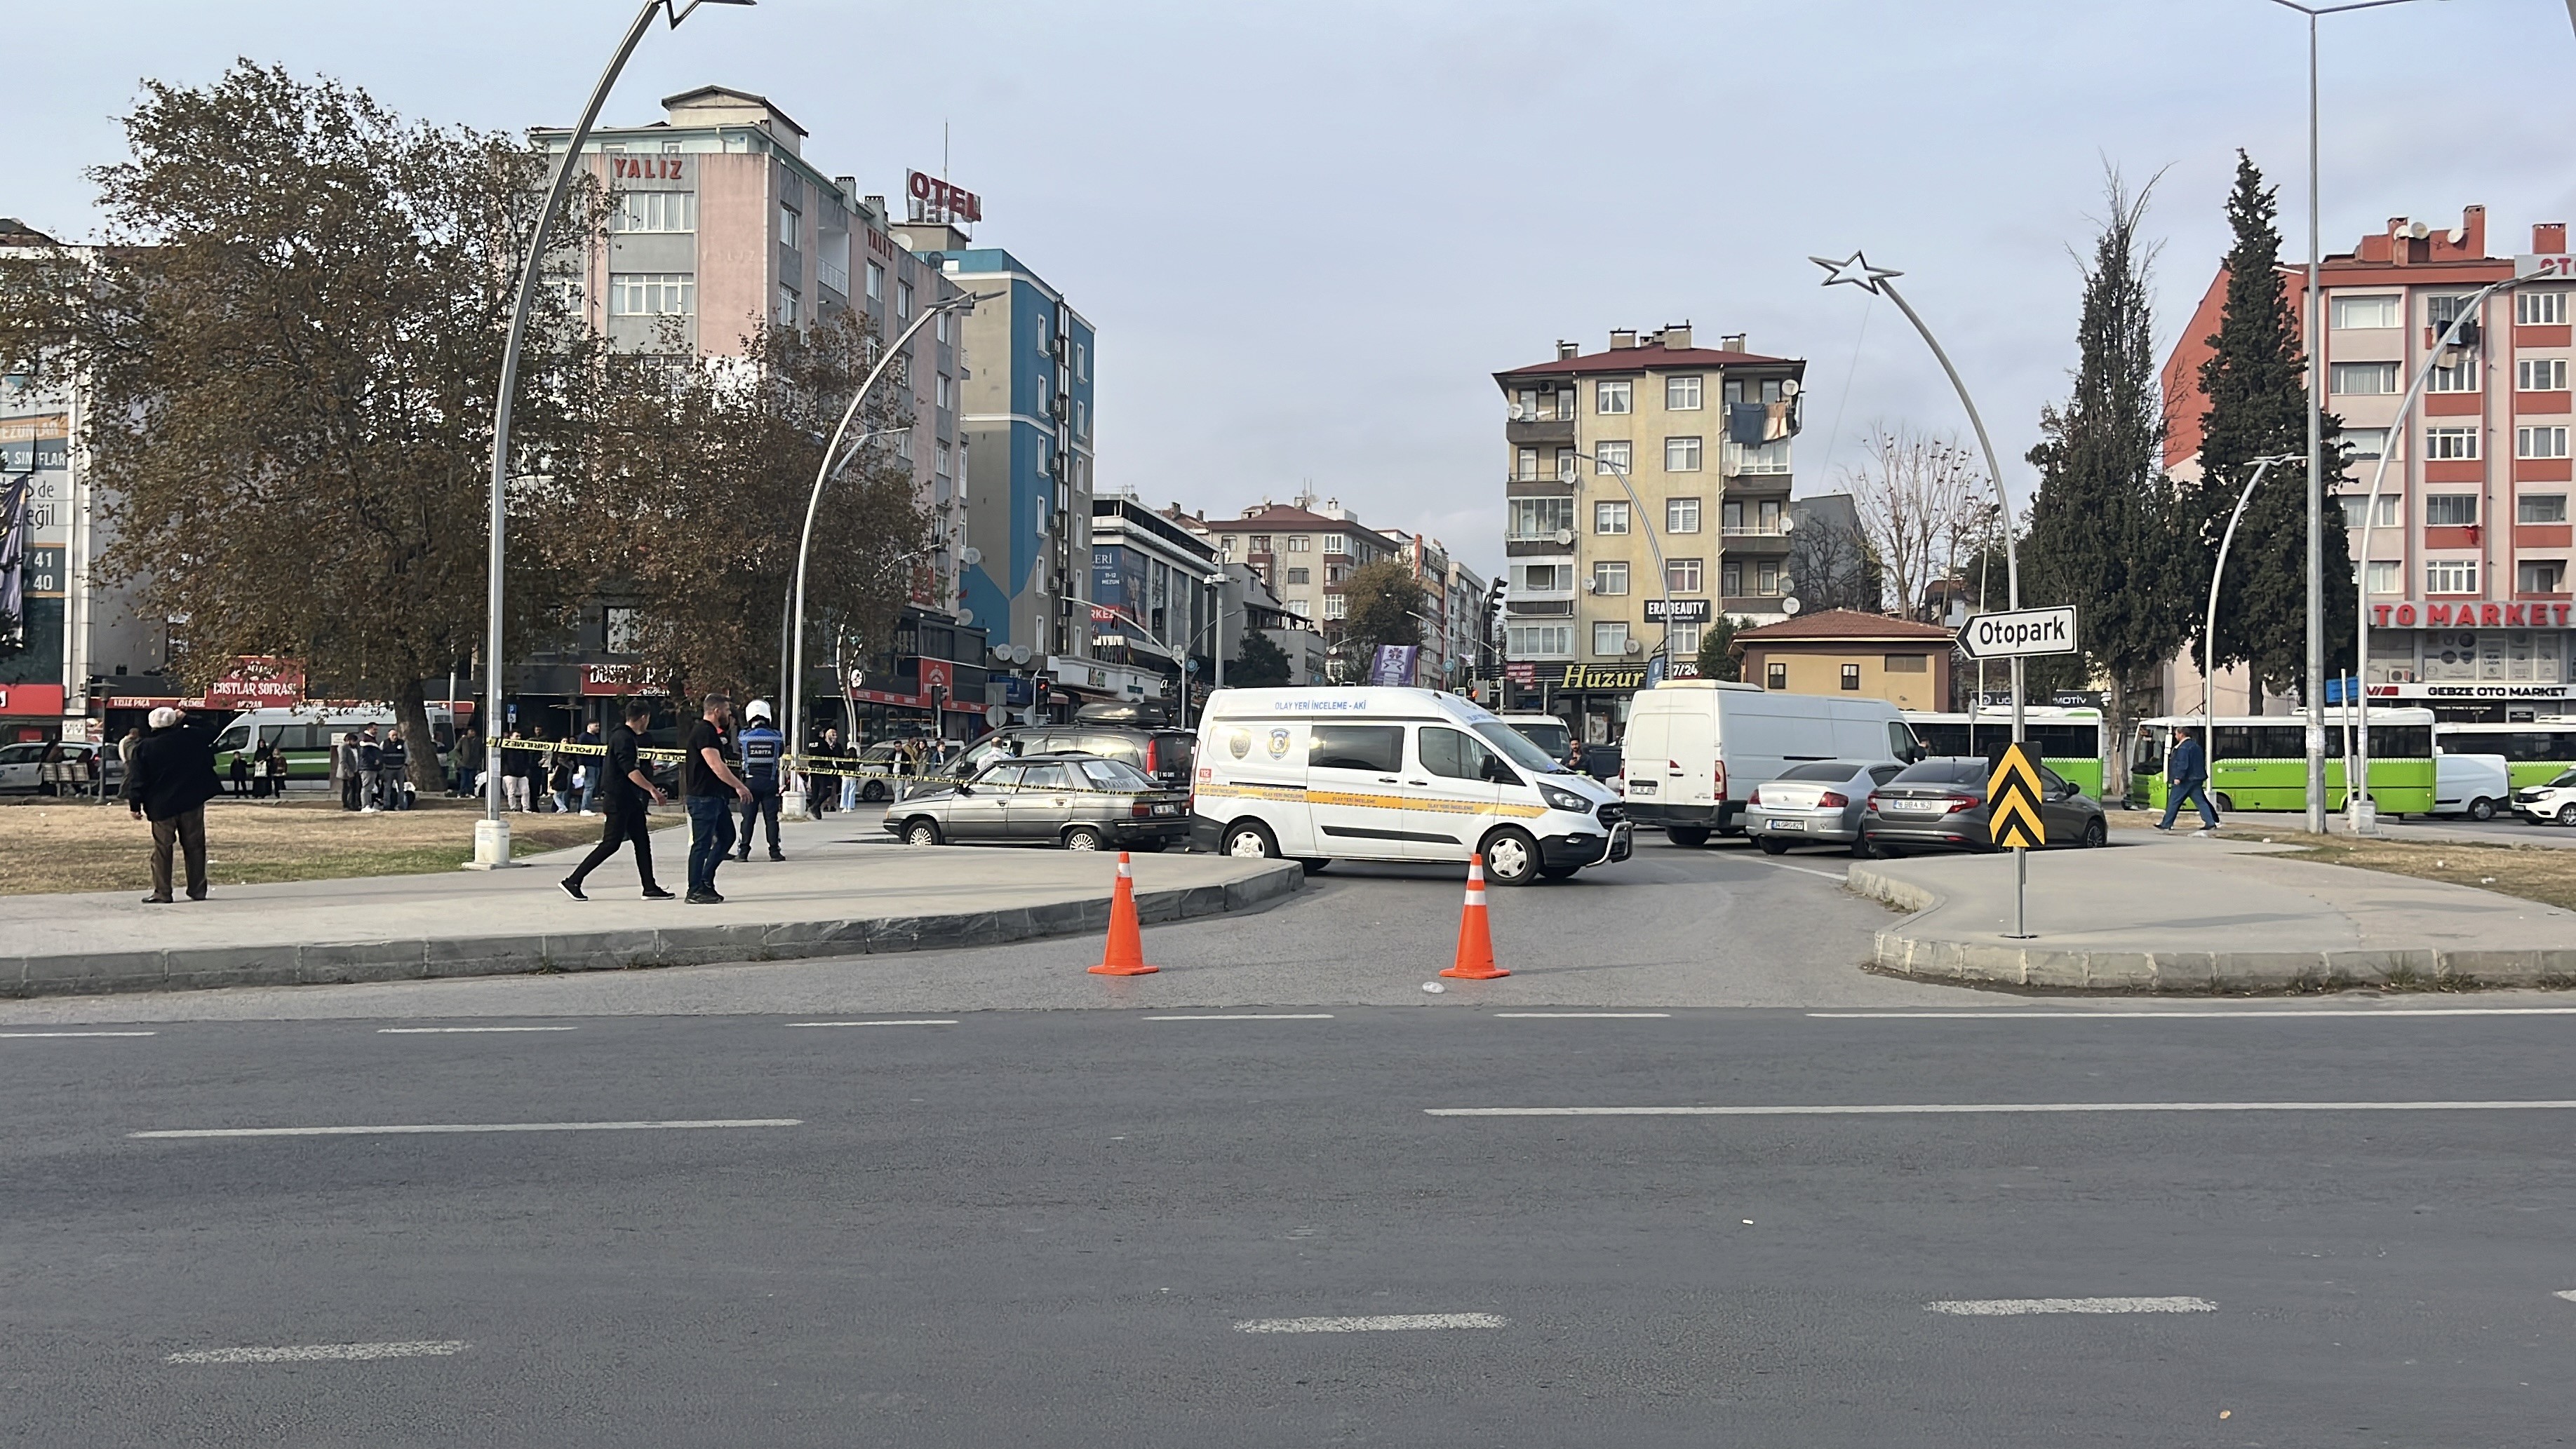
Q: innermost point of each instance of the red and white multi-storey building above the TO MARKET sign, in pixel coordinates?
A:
(2469, 552)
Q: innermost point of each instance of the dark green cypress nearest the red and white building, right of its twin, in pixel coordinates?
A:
(2258, 405)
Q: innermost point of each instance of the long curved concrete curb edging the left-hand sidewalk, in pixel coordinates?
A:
(341, 964)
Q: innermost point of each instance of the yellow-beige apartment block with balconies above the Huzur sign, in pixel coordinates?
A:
(1704, 444)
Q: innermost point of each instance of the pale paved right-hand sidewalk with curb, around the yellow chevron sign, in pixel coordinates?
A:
(2206, 915)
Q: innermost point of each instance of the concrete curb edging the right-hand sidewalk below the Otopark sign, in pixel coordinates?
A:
(1915, 951)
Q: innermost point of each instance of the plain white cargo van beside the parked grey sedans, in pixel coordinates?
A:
(1699, 748)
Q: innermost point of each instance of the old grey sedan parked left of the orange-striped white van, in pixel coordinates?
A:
(1078, 802)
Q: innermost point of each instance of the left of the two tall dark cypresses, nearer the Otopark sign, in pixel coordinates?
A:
(2106, 526)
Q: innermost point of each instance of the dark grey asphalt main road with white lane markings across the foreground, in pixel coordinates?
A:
(1055, 1226)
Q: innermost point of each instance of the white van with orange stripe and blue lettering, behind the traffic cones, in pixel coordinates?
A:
(1385, 773)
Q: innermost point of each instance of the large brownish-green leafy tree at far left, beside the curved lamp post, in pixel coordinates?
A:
(292, 346)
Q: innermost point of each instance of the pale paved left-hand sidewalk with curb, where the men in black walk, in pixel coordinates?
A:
(841, 892)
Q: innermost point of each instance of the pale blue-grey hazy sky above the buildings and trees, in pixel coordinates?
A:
(1310, 233)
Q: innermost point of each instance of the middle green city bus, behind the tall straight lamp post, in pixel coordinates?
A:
(2260, 763)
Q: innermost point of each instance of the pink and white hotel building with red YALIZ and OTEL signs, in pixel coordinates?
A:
(723, 225)
